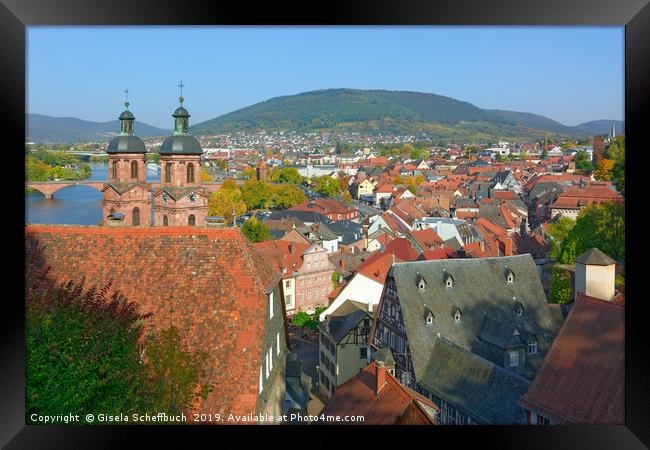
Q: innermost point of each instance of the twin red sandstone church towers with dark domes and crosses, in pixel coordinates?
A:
(177, 200)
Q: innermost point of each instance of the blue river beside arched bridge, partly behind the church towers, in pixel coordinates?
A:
(78, 205)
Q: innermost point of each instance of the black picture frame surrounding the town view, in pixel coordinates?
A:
(15, 15)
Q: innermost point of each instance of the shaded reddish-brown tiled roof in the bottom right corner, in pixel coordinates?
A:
(582, 378)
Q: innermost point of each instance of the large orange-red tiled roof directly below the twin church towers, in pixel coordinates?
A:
(216, 281)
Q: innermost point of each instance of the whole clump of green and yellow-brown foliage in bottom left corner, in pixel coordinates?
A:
(85, 352)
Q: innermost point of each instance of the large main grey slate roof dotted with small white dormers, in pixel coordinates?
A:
(481, 291)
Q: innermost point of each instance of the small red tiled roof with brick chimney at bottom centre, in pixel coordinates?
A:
(393, 404)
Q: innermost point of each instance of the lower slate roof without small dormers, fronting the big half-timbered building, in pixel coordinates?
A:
(481, 389)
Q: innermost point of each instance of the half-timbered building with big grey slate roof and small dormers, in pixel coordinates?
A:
(467, 333)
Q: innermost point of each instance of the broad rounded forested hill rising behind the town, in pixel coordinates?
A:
(379, 111)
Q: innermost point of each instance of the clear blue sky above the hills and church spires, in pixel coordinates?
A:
(569, 74)
